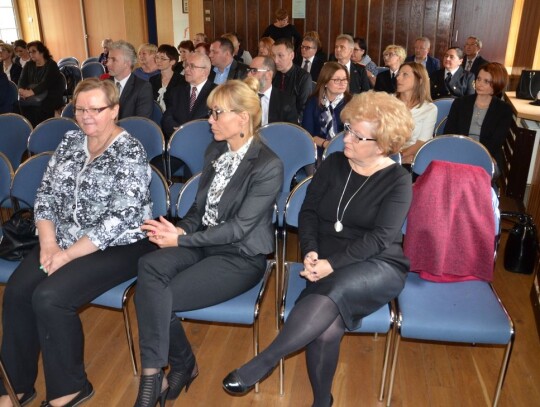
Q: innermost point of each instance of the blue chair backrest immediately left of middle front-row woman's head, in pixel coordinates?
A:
(189, 144)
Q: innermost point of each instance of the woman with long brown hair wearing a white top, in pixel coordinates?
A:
(413, 90)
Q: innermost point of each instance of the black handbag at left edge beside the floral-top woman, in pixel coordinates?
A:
(18, 235)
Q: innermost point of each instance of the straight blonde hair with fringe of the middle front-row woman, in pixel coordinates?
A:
(241, 97)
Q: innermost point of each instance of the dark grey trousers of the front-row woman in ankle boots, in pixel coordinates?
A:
(182, 279)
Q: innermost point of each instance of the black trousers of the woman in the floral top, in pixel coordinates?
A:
(40, 312)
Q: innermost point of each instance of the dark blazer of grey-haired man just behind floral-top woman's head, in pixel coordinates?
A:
(136, 98)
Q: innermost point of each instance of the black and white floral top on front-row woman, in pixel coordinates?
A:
(106, 199)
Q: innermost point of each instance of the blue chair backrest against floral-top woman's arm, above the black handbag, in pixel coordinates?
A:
(27, 178)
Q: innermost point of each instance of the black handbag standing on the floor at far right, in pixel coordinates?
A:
(522, 244)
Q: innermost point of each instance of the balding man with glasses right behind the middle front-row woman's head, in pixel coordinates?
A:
(277, 106)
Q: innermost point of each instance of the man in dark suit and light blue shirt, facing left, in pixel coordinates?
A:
(224, 65)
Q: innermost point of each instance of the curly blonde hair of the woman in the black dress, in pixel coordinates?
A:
(391, 121)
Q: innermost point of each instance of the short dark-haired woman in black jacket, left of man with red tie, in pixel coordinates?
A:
(166, 60)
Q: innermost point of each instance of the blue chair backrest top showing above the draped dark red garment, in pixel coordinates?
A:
(457, 149)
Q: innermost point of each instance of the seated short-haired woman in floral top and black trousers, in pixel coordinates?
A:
(88, 210)
